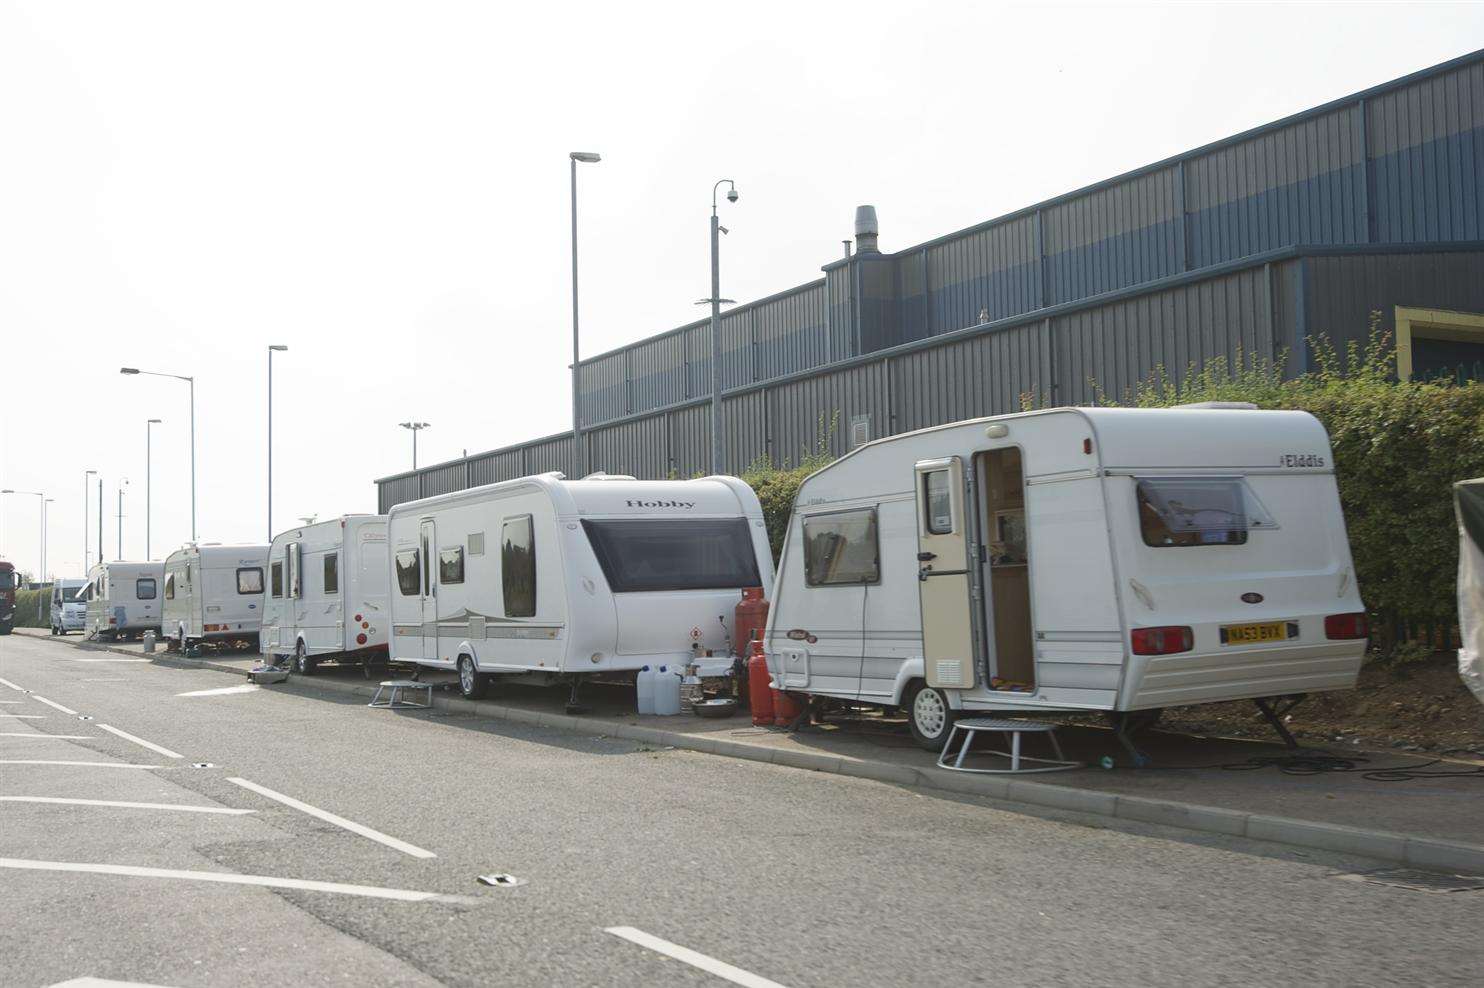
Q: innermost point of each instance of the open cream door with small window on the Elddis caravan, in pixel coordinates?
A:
(943, 575)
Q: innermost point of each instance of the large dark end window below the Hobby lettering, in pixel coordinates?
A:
(674, 554)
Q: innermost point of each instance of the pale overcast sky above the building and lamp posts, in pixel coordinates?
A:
(384, 189)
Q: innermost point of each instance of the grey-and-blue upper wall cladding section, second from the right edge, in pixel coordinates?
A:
(1299, 185)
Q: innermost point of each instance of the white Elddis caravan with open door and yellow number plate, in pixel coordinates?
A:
(1072, 560)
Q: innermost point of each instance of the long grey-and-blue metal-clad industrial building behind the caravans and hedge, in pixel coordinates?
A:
(1244, 247)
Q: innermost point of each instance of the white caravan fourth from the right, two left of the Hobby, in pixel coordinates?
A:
(214, 594)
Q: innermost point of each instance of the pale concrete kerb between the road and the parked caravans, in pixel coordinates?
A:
(1342, 840)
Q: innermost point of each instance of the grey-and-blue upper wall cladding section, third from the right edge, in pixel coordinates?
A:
(1114, 238)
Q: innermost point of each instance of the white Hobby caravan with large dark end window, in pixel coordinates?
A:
(557, 579)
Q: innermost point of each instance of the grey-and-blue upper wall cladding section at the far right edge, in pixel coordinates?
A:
(1428, 159)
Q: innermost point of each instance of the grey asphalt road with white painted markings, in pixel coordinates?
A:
(787, 876)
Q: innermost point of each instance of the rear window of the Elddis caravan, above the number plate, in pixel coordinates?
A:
(1198, 511)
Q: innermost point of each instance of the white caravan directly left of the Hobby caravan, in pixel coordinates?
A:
(327, 593)
